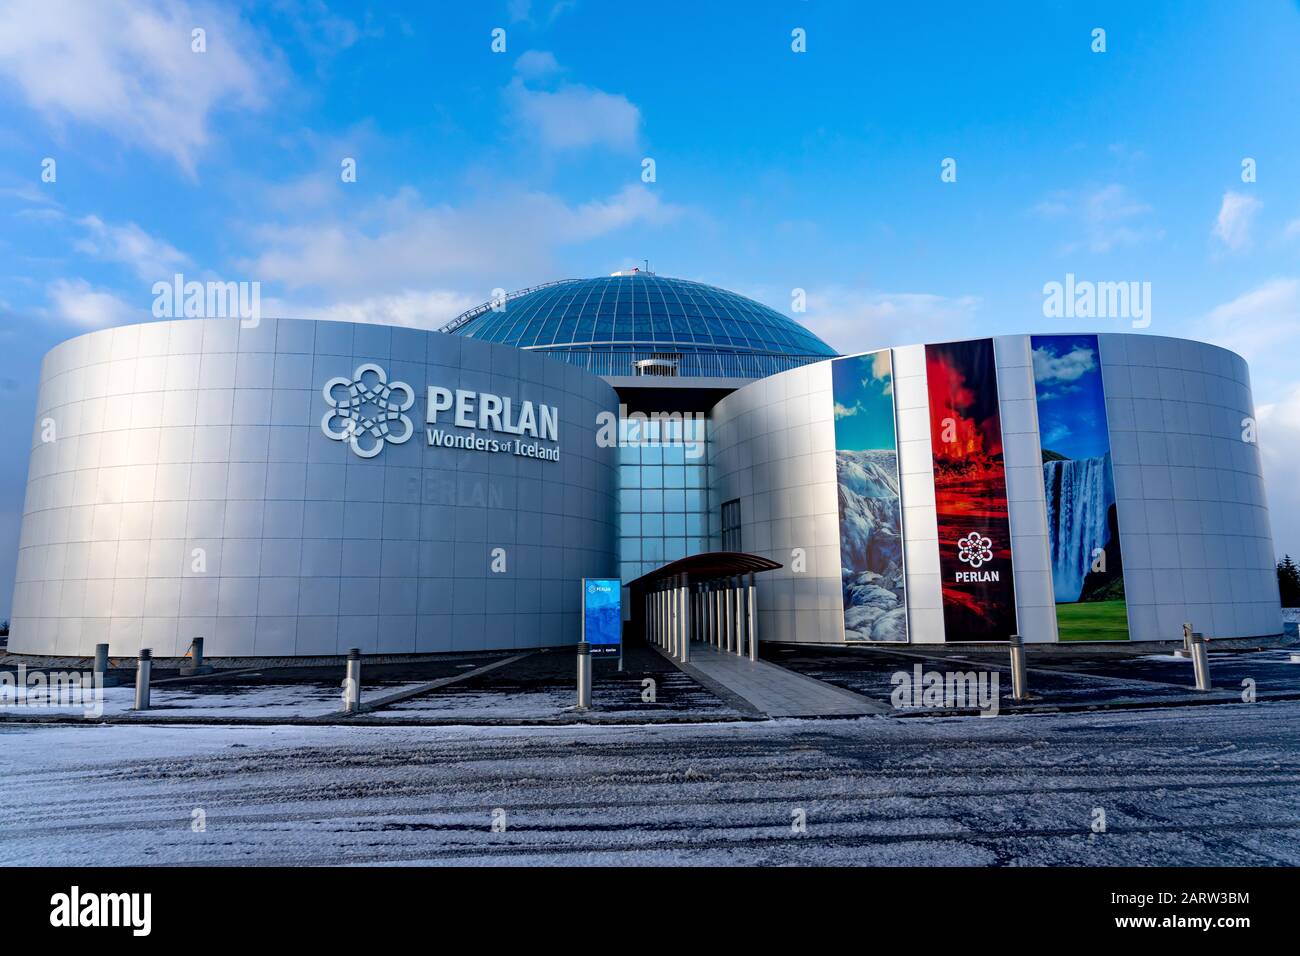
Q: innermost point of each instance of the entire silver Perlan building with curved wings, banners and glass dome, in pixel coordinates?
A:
(300, 488)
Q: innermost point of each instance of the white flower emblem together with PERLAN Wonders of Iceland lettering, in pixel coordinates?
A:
(369, 412)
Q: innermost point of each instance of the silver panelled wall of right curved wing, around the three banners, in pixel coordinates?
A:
(1191, 508)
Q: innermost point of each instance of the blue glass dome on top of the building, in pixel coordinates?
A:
(638, 323)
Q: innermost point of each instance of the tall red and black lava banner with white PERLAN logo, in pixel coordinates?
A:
(970, 492)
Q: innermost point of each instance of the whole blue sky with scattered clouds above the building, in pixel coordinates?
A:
(775, 171)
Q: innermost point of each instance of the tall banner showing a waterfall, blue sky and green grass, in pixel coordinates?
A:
(1084, 525)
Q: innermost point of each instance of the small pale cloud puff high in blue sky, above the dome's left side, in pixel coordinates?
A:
(575, 116)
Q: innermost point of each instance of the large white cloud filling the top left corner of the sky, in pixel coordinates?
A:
(127, 67)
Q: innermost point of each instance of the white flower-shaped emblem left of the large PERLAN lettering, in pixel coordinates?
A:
(369, 410)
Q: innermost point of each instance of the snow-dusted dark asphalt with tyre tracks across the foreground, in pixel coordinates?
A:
(1178, 786)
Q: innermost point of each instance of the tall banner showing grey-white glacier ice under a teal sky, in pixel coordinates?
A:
(866, 468)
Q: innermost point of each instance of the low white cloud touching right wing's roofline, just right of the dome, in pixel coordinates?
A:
(855, 321)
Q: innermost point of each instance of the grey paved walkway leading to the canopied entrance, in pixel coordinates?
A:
(772, 690)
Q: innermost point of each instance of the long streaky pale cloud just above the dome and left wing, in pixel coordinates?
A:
(402, 244)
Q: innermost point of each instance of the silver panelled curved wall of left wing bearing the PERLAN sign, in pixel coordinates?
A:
(184, 483)
